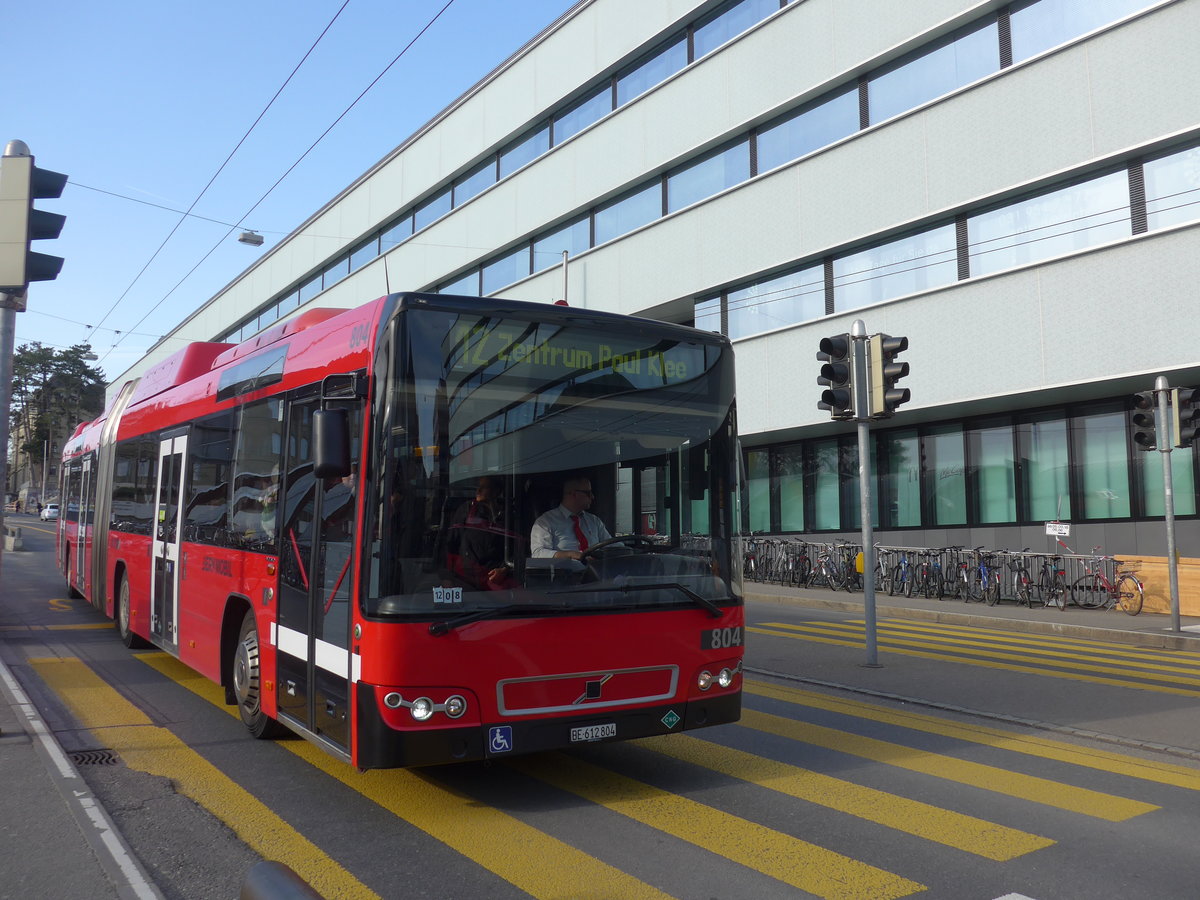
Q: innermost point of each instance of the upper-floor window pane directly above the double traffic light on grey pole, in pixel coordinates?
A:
(902, 267)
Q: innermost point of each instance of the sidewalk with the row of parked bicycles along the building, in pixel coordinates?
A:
(1143, 631)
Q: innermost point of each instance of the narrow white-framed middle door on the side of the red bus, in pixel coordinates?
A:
(165, 547)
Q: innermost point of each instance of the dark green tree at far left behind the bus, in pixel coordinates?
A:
(52, 392)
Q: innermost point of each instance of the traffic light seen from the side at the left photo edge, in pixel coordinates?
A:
(21, 184)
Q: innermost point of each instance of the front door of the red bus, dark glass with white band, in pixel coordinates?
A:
(317, 568)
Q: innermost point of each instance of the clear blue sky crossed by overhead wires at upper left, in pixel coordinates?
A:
(146, 99)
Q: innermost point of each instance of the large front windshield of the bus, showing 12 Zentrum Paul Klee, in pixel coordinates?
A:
(483, 419)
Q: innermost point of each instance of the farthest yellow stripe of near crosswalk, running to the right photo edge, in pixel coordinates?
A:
(1163, 773)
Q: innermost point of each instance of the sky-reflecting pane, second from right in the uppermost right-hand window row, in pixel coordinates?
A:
(965, 59)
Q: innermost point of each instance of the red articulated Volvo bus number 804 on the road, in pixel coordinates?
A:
(333, 521)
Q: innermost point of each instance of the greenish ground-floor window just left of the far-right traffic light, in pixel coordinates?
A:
(1102, 464)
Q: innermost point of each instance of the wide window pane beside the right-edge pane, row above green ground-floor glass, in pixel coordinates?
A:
(1063, 221)
